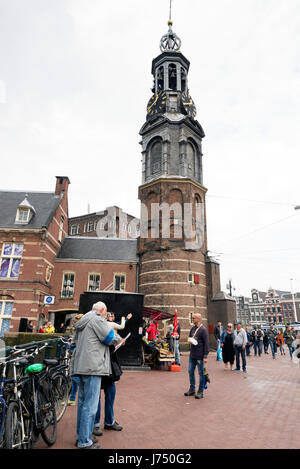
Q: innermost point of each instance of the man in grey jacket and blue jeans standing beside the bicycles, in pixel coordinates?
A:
(90, 361)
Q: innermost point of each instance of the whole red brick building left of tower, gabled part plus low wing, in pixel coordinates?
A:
(39, 259)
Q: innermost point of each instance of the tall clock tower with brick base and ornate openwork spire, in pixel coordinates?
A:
(173, 244)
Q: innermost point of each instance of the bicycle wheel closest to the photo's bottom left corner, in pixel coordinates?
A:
(13, 427)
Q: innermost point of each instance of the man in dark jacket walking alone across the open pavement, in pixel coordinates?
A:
(198, 339)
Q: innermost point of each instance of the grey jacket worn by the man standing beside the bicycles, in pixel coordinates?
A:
(91, 356)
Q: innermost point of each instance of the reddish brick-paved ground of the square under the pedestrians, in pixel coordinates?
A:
(260, 409)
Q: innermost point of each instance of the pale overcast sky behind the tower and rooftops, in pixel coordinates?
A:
(75, 79)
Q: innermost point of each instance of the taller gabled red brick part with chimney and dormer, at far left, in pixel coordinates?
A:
(32, 228)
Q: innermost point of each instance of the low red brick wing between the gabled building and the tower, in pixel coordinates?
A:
(91, 264)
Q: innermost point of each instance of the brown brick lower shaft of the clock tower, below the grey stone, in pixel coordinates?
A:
(165, 263)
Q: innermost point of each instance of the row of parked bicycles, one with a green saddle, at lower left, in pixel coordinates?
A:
(33, 396)
